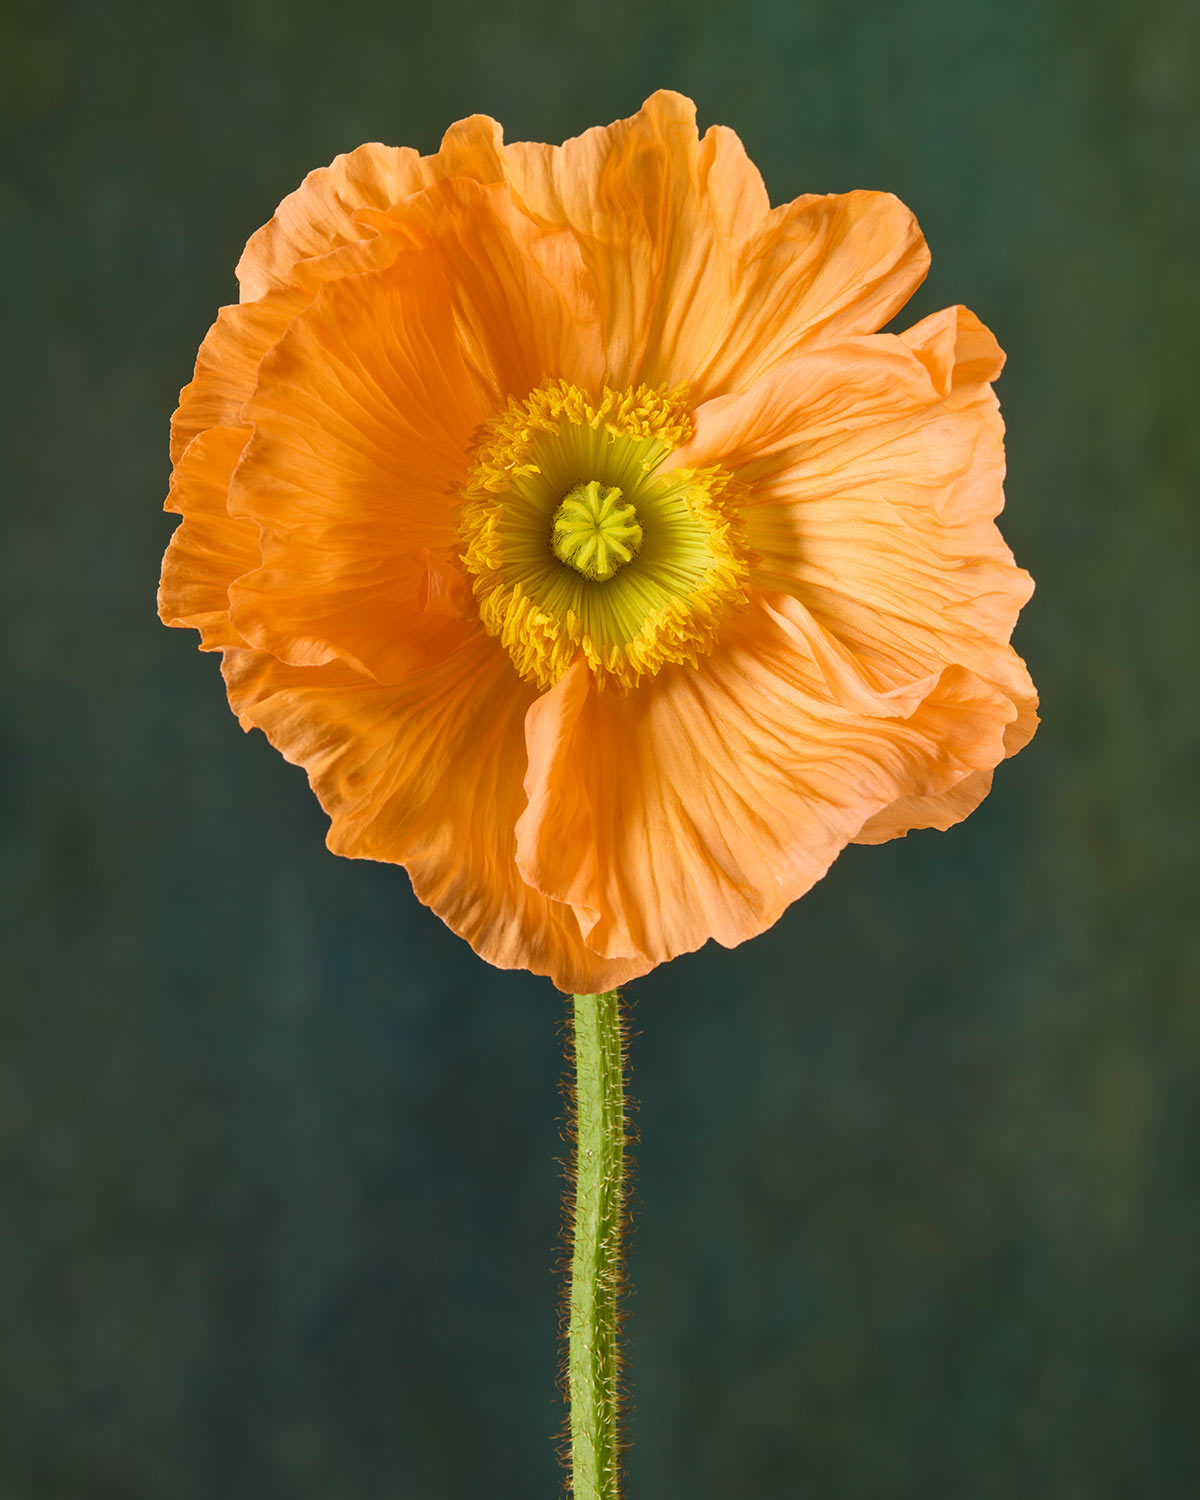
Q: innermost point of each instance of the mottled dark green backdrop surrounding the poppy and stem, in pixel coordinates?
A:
(919, 1183)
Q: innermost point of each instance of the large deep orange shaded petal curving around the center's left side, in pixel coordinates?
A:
(365, 415)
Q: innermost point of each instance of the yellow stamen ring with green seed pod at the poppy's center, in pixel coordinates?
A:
(581, 539)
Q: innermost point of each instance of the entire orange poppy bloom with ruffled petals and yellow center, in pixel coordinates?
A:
(565, 515)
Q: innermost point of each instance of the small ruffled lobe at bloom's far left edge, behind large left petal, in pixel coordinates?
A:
(212, 548)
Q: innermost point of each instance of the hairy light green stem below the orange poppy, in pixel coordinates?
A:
(598, 1270)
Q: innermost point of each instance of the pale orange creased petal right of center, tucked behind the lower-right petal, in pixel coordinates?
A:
(875, 469)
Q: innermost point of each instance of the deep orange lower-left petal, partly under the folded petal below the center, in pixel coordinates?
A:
(427, 775)
